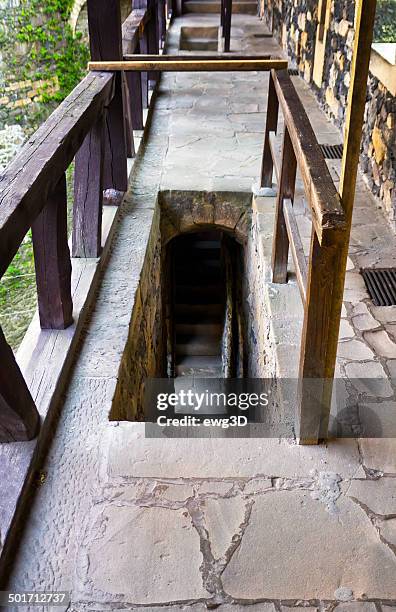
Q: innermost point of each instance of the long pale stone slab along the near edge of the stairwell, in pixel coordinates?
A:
(127, 453)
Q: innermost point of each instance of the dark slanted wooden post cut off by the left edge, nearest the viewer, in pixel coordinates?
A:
(19, 419)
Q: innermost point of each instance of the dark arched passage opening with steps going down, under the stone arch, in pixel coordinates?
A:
(205, 310)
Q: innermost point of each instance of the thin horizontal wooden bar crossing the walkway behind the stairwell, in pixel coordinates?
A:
(224, 65)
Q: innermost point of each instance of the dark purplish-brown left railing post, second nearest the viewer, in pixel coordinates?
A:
(52, 261)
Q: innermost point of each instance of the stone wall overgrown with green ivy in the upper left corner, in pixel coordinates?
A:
(40, 61)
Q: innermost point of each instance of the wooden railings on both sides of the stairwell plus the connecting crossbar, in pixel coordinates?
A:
(95, 126)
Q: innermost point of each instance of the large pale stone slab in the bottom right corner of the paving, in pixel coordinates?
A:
(293, 549)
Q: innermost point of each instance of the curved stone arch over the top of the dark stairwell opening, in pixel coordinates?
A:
(193, 211)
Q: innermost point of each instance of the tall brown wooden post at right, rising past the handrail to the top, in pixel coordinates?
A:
(310, 432)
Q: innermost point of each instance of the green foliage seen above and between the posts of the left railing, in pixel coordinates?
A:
(37, 45)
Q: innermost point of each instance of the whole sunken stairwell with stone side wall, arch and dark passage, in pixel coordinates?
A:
(190, 307)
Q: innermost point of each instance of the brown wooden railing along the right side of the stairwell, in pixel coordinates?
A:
(318, 279)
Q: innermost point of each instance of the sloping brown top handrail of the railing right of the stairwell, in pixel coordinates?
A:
(327, 212)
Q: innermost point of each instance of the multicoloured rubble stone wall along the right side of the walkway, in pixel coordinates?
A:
(295, 24)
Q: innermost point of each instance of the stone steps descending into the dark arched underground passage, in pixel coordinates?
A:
(199, 303)
